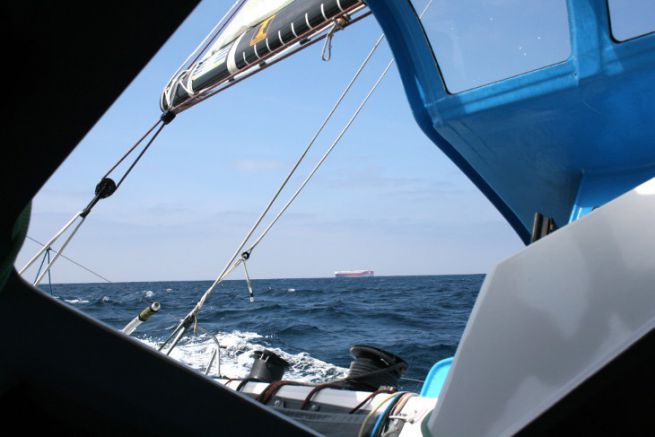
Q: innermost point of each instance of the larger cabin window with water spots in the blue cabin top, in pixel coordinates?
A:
(477, 42)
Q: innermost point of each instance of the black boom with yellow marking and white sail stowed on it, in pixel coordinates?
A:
(261, 29)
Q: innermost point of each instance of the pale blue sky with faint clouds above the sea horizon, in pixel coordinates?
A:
(387, 199)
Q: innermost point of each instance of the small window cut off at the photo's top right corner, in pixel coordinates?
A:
(631, 18)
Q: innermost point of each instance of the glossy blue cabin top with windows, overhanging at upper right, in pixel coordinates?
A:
(560, 139)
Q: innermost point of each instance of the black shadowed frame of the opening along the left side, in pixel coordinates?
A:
(61, 371)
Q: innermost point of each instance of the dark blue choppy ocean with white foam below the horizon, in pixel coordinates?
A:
(310, 322)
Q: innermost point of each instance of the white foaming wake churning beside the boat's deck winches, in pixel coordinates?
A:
(236, 357)
